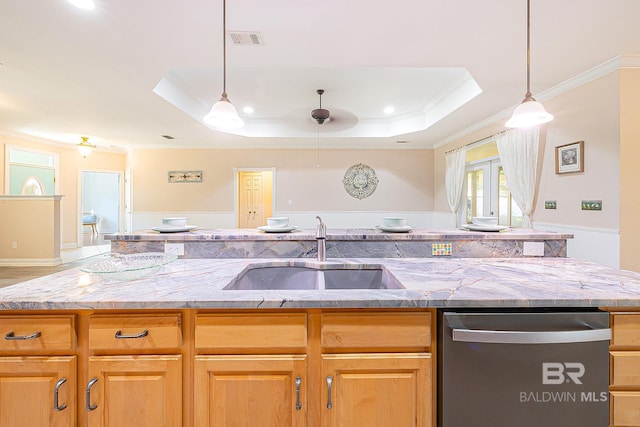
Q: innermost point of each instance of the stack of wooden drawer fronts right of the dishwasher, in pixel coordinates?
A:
(625, 370)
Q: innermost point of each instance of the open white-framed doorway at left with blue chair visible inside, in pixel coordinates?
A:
(100, 199)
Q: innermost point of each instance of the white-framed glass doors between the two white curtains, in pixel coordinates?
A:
(487, 191)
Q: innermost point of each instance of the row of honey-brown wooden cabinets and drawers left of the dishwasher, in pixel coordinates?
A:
(250, 368)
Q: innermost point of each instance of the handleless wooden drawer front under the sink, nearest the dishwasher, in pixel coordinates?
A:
(376, 331)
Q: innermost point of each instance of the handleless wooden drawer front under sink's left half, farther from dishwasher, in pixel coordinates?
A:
(251, 332)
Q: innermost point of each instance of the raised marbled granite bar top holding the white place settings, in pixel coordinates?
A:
(341, 234)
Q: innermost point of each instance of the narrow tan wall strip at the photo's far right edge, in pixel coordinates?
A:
(629, 166)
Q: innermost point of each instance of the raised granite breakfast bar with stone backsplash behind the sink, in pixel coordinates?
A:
(347, 243)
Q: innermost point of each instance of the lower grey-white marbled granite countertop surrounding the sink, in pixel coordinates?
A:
(449, 282)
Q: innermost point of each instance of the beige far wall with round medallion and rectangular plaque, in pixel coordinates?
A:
(405, 179)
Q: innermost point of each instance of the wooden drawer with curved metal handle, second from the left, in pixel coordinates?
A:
(134, 332)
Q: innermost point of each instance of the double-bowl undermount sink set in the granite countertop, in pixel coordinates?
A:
(314, 277)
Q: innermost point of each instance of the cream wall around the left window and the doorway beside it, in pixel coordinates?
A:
(71, 163)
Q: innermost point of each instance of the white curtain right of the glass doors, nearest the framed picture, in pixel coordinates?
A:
(518, 149)
